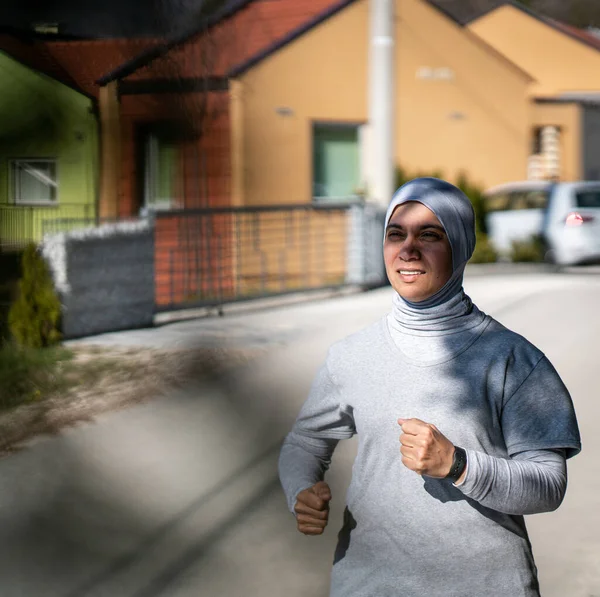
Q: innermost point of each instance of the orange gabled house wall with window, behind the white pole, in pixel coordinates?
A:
(299, 111)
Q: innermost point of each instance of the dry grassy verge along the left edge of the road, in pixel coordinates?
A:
(46, 390)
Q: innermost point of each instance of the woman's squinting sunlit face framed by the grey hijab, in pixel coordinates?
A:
(417, 253)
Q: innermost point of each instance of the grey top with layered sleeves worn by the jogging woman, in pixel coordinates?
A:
(494, 394)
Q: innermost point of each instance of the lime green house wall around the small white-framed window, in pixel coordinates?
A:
(42, 118)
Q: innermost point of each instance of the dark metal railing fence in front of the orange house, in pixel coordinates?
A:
(211, 256)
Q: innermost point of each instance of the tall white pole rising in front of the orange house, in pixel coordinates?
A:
(381, 101)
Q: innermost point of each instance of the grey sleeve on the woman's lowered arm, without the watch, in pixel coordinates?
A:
(307, 450)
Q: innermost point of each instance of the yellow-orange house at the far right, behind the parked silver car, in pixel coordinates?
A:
(564, 63)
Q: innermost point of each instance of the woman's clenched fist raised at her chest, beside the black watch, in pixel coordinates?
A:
(425, 449)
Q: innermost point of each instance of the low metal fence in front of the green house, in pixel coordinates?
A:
(22, 224)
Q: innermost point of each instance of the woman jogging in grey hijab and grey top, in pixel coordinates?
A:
(463, 426)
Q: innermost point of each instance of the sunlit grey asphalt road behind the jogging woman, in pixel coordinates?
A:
(179, 496)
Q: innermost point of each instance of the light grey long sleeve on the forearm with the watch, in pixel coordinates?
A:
(528, 483)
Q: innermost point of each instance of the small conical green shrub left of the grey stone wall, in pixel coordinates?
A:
(33, 317)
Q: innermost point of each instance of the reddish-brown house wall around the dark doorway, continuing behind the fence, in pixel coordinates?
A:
(193, 259)
